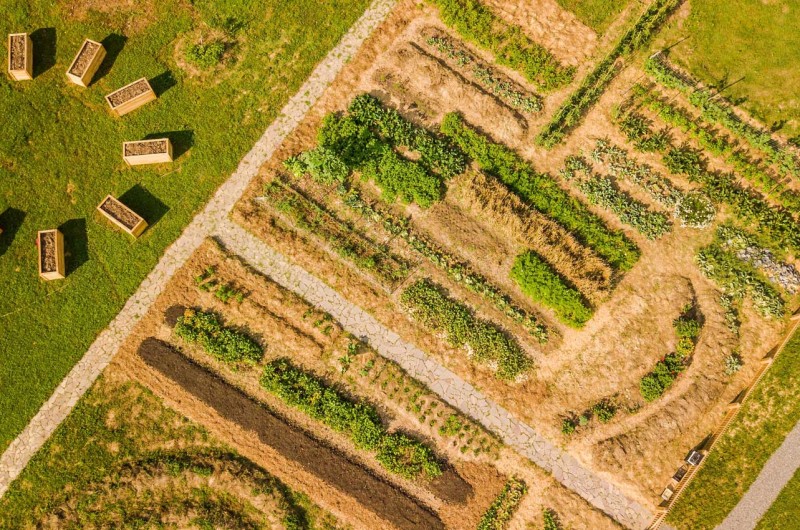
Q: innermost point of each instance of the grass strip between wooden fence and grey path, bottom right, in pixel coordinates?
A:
(760, 428)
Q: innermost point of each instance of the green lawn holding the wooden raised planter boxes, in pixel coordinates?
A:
(60, 154)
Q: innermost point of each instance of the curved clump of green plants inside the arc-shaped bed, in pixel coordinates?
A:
(687, 330)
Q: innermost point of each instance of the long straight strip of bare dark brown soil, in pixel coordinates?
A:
(332, 467)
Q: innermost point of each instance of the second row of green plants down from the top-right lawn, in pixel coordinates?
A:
(721, 145)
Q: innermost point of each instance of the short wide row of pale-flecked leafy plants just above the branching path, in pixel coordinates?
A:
(485, 341)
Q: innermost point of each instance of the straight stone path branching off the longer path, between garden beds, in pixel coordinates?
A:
(460, 394)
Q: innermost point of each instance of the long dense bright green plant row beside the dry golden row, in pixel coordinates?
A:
(543, 193)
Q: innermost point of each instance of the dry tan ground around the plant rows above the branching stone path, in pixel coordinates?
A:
(631, 329)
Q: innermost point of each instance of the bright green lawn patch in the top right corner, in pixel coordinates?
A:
(755, 46)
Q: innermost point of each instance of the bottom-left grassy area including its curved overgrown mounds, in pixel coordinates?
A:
(119, 430)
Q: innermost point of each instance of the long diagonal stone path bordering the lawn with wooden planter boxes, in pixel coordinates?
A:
(100, 353)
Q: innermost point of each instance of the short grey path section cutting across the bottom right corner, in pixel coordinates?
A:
(777, 472)
